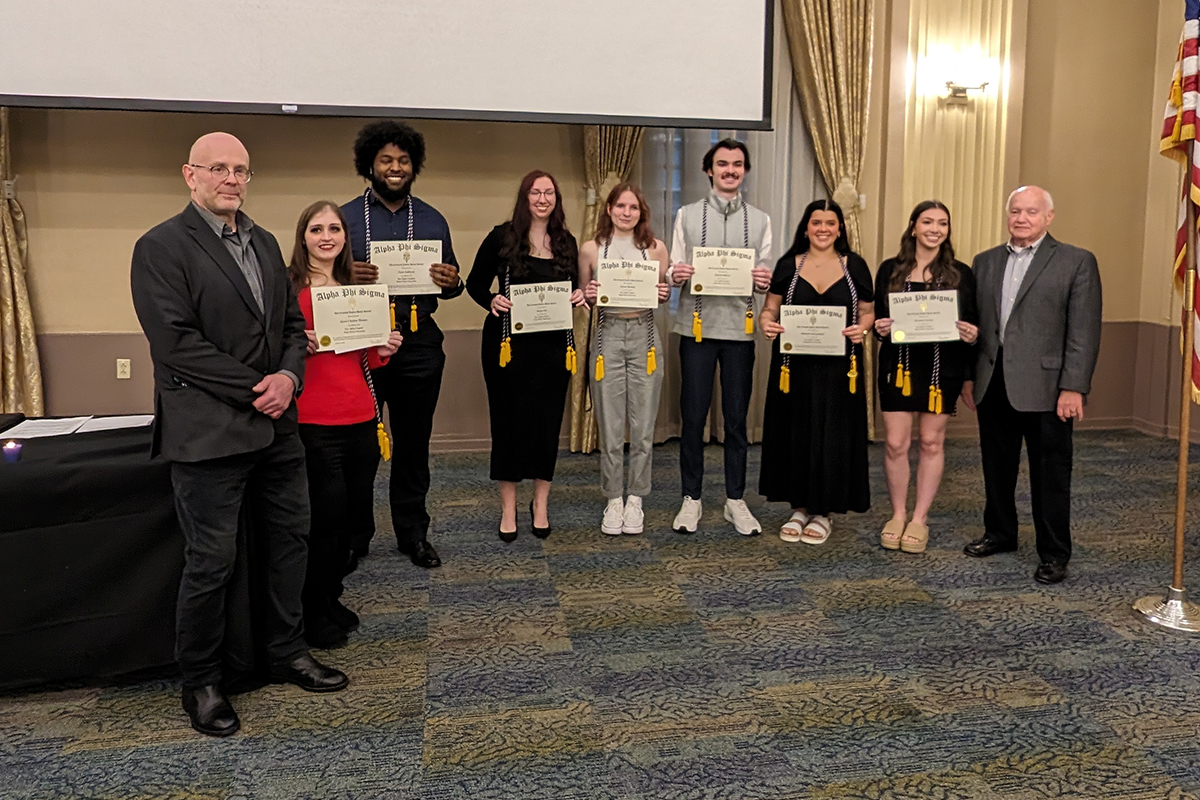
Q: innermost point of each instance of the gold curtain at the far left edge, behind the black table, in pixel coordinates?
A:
(21, 377)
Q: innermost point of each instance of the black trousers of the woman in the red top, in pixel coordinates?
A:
(341, 464)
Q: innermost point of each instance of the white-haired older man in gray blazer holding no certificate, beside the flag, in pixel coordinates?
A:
(1040, 335)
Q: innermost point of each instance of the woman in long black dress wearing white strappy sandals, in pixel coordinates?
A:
(814, 440)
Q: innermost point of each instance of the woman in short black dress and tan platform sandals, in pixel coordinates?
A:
(923, 380)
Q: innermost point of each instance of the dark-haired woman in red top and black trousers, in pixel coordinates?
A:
(338, 428)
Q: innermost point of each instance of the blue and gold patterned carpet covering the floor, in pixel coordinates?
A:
(715, 666)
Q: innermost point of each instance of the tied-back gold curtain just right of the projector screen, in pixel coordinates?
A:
(831, 44)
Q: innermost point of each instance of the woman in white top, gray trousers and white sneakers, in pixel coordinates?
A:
(626, 375)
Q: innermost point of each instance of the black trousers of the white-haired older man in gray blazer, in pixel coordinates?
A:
(1049, 444)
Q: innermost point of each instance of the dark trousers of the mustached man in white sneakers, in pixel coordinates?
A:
(698, 368)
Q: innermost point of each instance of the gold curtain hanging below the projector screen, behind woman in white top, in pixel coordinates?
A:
(609, 153)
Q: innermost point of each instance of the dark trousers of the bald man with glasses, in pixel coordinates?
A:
(209, 501)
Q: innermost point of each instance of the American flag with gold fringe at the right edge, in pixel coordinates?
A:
(1179, 135)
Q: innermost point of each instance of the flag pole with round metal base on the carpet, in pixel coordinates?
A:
(1174, 611)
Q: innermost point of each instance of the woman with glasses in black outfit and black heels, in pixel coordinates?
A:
(529, 375)
